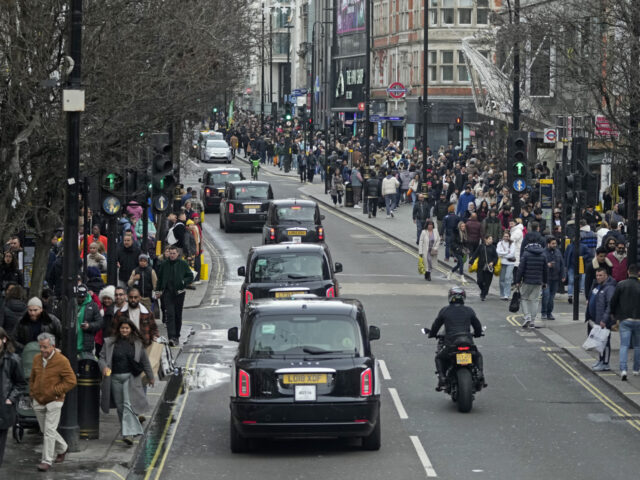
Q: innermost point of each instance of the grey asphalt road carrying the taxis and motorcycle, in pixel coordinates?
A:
(542, 416)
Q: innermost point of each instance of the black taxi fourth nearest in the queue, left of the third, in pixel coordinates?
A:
(245, 205)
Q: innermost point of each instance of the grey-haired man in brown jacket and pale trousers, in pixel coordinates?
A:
(51, 378)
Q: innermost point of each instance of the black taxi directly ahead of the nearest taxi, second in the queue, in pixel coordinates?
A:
(280, 271)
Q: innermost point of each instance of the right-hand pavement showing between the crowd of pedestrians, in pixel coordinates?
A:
(565, 333)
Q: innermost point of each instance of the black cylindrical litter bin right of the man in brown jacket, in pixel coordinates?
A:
(88, 398)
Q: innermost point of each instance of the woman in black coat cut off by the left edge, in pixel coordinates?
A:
(12, 384)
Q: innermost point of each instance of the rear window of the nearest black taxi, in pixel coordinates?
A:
(305, 335)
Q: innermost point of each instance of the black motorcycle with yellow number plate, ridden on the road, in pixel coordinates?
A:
(462, 375)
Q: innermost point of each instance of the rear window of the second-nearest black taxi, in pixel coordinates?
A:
(278, 267)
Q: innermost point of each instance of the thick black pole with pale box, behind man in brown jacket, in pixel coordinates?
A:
(68, 426)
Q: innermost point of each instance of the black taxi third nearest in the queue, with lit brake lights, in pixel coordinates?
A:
(293, 220)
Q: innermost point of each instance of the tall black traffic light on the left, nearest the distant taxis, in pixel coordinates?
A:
(163, 180)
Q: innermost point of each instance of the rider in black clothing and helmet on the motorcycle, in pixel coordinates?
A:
(457, 319)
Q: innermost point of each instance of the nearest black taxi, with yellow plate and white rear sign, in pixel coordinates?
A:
(304, 368)
